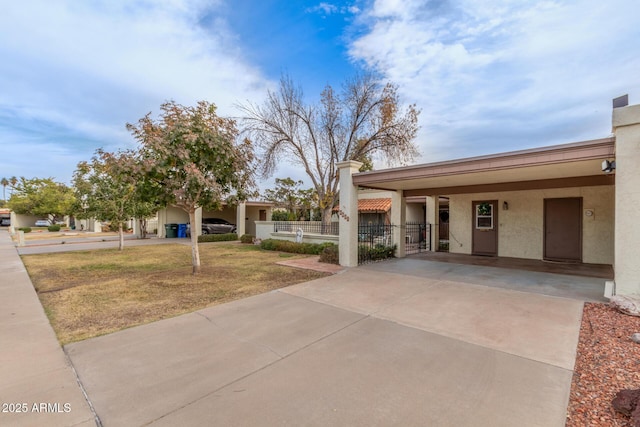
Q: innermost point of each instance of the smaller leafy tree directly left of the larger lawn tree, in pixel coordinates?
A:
(111, 188)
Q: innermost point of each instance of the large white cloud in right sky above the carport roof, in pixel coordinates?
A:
(496, 75)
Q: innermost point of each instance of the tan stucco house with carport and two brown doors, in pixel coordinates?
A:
(553, 203)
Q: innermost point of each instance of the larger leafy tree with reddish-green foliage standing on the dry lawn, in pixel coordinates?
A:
(192, 157)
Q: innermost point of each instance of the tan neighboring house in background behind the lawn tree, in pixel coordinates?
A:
(244, 216)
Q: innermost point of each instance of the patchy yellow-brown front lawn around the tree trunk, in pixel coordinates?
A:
(91, 293)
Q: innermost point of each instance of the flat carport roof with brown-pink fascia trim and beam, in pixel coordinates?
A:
(568, 165)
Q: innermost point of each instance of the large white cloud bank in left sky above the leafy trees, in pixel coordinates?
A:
(92, 66)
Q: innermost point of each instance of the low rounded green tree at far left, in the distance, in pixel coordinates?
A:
(42, 197)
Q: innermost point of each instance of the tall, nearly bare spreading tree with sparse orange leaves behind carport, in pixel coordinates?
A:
(364, 121)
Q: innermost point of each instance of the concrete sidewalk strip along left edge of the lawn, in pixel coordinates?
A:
(37, 385)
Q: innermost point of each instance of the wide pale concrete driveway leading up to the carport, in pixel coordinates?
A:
(369, 346)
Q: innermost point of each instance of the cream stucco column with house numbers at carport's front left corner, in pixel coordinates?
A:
(348, 213)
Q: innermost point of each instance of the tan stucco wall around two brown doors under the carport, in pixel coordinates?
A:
(521, 227)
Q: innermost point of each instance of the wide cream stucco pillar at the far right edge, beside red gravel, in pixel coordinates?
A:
(626, 126)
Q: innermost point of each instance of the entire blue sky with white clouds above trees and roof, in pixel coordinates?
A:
(489, 76)
